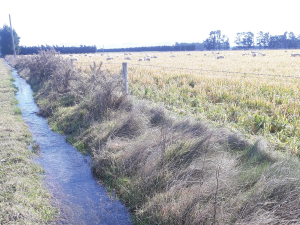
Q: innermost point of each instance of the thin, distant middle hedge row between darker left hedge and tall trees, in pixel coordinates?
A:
(190, 47)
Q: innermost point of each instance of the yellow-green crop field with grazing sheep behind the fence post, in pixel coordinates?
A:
(258, 96)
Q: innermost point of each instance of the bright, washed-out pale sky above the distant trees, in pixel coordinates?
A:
(116, 23)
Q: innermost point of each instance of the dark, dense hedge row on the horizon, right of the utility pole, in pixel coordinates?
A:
(66, 50)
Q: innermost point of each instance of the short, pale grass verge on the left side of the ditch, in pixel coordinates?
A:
(23, 199)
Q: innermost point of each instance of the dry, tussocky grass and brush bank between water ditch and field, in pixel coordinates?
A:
(168, 169)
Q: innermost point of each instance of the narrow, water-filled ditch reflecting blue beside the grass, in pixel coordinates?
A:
(76, 193)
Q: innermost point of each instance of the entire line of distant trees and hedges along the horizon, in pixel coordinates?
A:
(215, 41)
